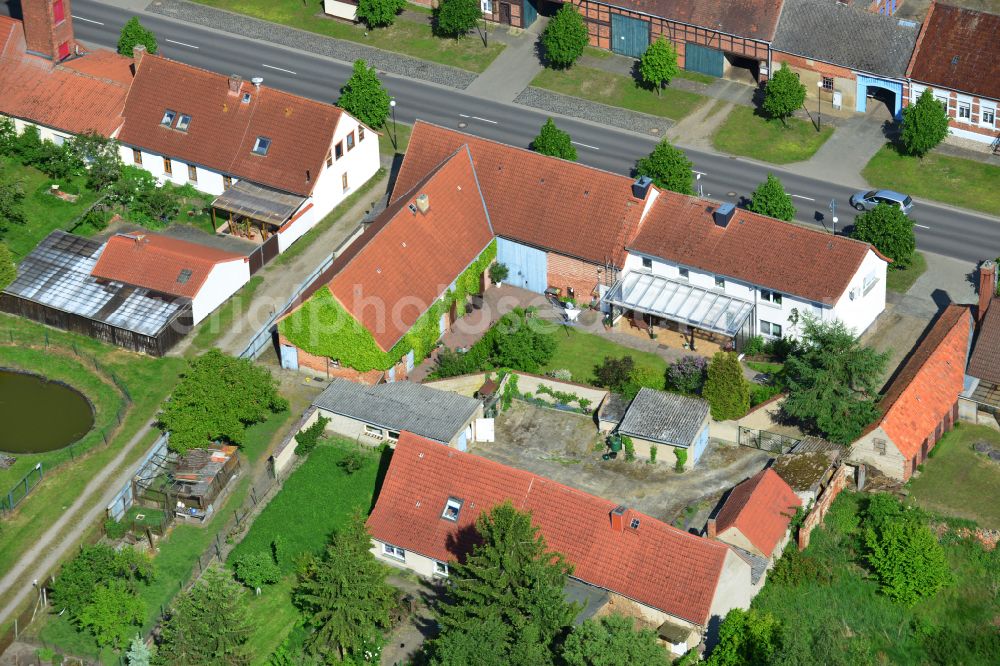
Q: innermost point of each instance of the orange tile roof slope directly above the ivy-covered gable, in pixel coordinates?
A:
(390, 276)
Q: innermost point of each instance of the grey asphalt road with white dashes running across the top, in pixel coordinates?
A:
(944, 230)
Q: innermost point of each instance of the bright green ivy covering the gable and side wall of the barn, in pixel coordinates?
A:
(323, 327)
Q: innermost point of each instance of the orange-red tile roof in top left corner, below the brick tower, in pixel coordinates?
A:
(79, 95)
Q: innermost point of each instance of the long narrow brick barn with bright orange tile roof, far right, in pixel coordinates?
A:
(920, 404)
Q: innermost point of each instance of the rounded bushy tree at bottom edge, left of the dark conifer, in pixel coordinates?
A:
(209, 624)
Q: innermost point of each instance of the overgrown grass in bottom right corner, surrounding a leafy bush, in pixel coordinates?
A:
(941, 629)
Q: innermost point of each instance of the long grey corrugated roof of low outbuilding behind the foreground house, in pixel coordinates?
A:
(422, 410)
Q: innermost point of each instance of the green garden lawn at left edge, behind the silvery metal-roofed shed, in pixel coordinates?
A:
(44, 212)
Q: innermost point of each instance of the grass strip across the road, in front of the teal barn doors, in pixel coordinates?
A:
(618, 90)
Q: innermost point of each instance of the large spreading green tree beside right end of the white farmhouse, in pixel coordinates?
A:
(832, 381)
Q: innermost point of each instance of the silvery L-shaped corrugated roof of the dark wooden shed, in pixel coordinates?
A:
(57, 274)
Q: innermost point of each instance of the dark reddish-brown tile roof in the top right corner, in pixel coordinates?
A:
(959, 49)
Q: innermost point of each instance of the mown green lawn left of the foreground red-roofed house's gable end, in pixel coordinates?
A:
(315, 501)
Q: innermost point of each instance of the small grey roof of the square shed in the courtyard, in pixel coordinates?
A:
(664, 417)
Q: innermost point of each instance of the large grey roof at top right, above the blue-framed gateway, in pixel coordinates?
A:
(846, 36)
